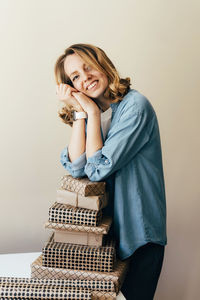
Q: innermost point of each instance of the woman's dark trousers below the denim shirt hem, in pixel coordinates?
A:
(144, 270)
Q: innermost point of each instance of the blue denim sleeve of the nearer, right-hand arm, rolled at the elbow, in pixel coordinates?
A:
(125, 139)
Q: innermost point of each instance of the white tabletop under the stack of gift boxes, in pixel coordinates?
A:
(18, 265)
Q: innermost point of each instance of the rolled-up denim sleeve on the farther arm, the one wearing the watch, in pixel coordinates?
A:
(75, 168)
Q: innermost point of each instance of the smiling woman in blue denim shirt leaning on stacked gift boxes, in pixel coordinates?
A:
(115, 138)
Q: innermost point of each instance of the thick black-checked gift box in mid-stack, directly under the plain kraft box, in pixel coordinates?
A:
(79, 257)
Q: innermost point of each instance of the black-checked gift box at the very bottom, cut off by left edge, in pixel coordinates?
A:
(33, 288)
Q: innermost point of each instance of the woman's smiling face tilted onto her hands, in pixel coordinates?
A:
(85, 78)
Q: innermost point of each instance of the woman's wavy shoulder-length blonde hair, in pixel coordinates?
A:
(95, 57)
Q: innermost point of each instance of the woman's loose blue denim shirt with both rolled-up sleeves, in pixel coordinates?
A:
(130, 162)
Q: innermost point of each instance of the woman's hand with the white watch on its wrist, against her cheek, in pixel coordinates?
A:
(64, 92)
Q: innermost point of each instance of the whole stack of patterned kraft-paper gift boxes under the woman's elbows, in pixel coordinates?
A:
(79, 259)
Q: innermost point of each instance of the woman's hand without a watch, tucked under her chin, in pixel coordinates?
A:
(86, 103)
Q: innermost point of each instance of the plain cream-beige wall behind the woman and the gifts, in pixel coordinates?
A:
(157, 44)
